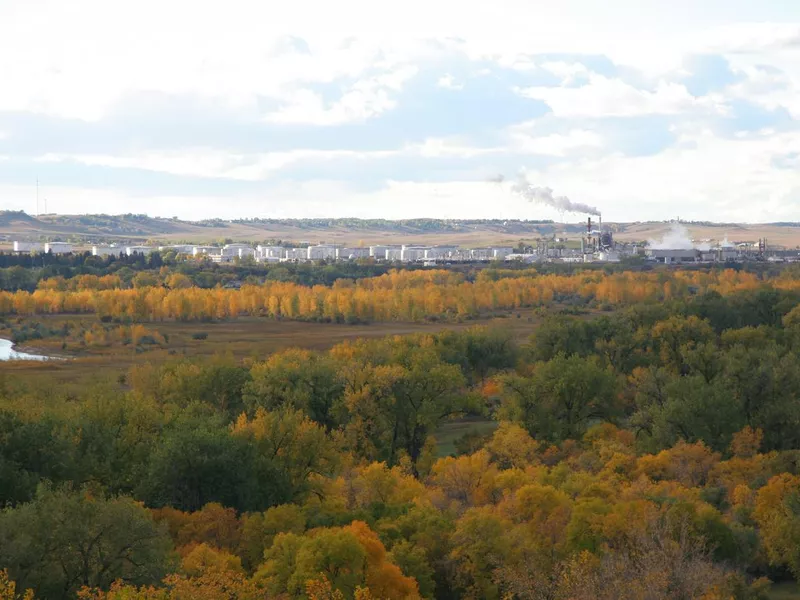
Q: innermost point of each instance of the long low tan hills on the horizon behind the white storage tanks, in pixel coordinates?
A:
(133, 228)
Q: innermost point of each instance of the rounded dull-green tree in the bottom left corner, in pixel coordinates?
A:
(65, 539)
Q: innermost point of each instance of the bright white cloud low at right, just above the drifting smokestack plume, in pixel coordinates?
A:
(702, 177)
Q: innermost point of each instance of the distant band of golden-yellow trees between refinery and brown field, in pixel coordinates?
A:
(395, 296)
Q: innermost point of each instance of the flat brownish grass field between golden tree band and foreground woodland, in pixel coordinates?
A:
(243, 338)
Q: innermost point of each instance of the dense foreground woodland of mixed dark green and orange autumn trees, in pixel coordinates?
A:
(649, 453)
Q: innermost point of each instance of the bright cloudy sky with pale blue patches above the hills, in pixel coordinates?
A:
(646, 109)
